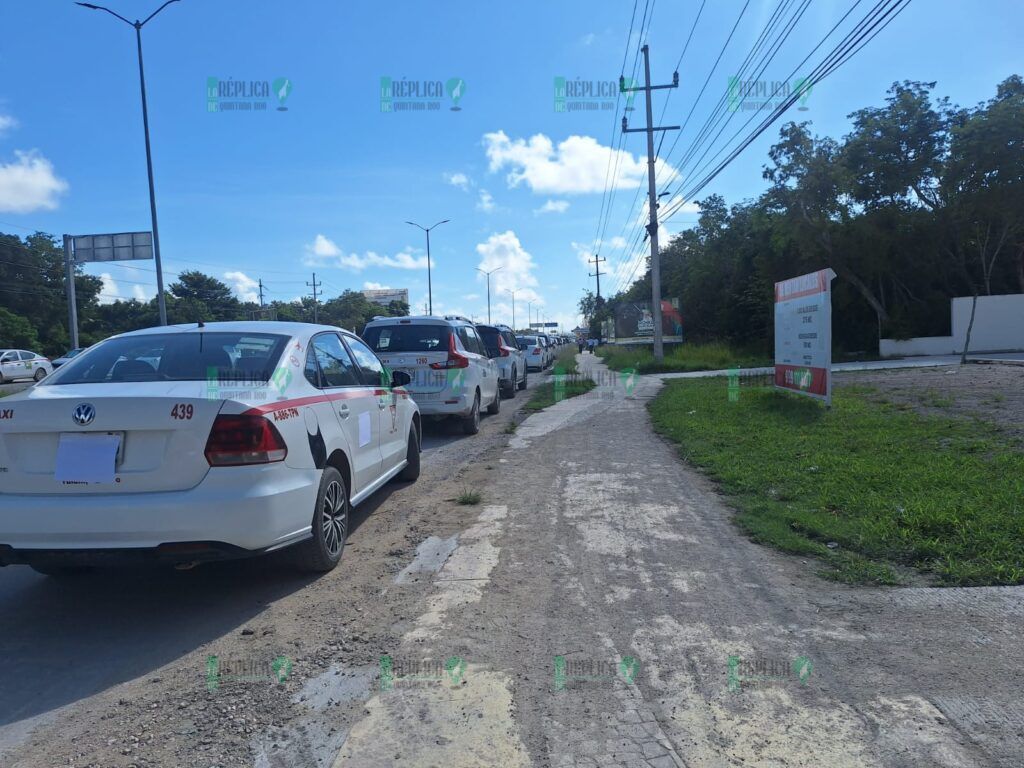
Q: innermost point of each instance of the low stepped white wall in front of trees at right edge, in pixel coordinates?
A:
(999, 327)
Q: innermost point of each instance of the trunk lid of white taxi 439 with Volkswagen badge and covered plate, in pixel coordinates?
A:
(160, 433)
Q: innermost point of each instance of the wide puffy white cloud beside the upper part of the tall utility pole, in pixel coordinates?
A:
(578, 165)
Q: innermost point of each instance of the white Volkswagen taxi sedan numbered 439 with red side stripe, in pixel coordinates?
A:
(182, 445)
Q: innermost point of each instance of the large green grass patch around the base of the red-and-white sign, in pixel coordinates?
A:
(891, 488)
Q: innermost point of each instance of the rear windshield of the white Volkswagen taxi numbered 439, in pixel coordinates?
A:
(189, 357)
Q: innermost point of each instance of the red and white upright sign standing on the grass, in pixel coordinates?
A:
(803, 334)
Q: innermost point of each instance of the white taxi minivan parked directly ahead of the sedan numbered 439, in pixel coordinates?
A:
(452, 374)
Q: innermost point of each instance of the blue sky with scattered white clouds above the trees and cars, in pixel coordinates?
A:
(248, 191)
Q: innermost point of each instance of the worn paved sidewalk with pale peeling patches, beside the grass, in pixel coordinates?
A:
(609, 613)
